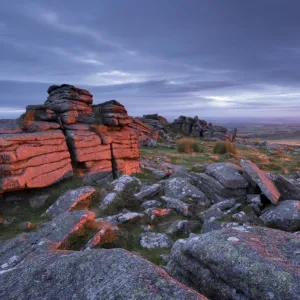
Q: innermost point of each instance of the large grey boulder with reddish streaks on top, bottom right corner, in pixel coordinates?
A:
(253, 263)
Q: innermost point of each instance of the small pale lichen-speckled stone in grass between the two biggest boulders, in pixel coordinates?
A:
(152, 240)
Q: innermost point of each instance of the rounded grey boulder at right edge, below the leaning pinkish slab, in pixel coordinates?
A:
(284, 216)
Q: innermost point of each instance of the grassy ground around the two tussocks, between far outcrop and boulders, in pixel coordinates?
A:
(275, 161)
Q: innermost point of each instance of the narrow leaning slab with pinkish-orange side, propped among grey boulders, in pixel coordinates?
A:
(260, 178)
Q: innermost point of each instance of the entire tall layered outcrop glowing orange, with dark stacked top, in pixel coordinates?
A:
(65, 135)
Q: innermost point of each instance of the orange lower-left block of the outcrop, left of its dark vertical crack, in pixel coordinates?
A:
(33, 159)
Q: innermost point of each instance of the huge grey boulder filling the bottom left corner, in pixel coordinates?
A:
(95, 274)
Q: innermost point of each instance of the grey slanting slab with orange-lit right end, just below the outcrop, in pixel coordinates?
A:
(69, 200)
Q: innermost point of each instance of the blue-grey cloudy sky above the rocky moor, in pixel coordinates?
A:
(211, 58)
